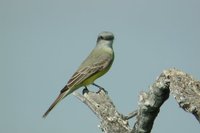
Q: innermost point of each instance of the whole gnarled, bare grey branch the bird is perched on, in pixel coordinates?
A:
(184, 88)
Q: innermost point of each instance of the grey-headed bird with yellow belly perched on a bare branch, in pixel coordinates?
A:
(94, 66)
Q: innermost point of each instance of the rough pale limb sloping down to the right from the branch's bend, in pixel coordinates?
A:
(186, 91)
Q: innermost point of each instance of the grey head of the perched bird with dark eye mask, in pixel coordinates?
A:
(106, 36)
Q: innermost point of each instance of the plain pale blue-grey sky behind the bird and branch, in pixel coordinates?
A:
(42, 42)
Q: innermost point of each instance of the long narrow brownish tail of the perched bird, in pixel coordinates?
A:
(58, 99)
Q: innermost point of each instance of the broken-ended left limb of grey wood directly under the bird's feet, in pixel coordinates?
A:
(103, 107)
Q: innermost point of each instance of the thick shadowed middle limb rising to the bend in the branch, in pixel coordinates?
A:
(150, 103)
